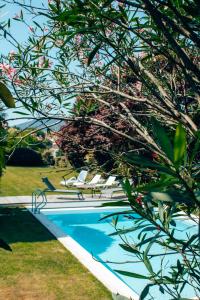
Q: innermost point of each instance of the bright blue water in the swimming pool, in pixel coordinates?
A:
(85, 227)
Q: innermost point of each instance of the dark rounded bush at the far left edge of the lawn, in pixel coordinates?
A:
(25, 157)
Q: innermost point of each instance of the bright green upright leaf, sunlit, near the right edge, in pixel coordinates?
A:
(179, 144)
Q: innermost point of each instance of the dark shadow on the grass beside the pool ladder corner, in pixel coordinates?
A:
(18, 225)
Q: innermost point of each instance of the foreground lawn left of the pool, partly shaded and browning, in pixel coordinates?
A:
(39, 267)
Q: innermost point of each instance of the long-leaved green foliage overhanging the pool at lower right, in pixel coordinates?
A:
(159, 206)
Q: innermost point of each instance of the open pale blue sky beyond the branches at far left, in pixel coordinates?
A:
(19, 31)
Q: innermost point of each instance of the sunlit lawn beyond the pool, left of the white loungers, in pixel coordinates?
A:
(22, 181)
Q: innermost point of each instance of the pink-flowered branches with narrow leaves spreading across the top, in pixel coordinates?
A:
(108, 45)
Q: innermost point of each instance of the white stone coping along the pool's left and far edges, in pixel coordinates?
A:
(110, 280)
